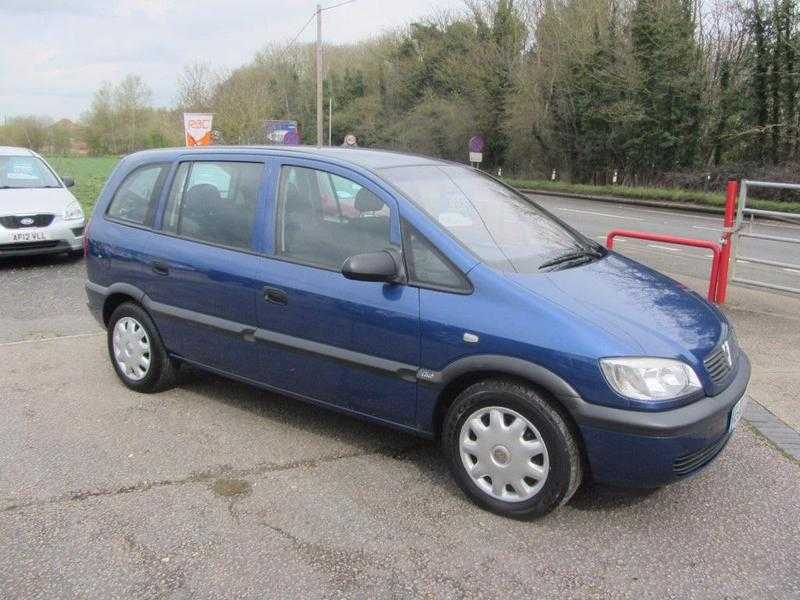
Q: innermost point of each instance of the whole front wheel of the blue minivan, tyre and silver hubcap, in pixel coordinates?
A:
(510, 450)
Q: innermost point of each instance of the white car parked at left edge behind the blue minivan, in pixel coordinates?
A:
(38, 214)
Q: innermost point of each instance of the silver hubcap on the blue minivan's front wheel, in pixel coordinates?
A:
(504, 454)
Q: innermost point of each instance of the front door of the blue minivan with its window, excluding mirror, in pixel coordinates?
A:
(349, 343)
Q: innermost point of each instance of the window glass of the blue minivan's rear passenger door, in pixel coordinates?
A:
(214, 202)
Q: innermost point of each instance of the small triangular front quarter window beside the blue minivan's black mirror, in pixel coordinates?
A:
(427, 266)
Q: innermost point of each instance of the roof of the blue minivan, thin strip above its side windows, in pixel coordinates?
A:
(365, 158)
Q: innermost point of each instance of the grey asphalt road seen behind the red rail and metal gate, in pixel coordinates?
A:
(596, 219)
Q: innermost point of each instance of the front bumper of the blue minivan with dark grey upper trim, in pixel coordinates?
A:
(649, 449)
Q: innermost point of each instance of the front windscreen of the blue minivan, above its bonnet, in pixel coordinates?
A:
(502, 229)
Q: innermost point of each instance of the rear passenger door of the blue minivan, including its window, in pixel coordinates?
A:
(204, 265)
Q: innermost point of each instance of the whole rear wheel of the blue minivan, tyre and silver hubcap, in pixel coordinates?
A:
(137, 352)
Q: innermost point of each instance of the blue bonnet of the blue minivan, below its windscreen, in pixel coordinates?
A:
(657, 315)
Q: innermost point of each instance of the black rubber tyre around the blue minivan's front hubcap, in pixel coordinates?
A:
(564, 457)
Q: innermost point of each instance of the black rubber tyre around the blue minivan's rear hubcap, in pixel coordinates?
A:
(162, 371)
